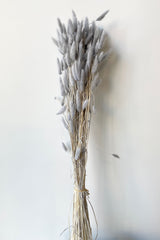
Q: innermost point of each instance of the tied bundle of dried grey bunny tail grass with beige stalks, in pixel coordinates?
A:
(80, 44)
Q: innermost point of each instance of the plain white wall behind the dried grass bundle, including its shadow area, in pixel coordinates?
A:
(35, 173)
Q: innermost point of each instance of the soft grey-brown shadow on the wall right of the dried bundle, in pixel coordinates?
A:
(101, 124)
